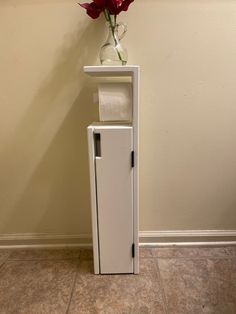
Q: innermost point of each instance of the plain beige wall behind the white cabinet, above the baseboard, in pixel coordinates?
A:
(187, 53)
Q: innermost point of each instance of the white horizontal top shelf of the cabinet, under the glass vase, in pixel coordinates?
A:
(114, 71)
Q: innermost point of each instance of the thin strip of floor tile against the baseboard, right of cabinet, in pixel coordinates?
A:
(193, 252)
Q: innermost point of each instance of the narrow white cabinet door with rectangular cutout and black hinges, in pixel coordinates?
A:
(114, 177)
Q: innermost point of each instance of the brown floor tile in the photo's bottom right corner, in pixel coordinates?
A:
(199, 285)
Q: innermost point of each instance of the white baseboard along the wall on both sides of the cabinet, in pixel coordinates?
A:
(146, 238)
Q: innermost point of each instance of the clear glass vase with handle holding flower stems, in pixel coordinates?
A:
(113, 52)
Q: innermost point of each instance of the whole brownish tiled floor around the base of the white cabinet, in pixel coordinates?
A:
(171, 281)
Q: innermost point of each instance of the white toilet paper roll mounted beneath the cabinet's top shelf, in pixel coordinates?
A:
(115, 101)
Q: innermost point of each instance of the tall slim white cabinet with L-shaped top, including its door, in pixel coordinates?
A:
(114, 183)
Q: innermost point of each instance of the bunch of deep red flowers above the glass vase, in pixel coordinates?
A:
(114, 7)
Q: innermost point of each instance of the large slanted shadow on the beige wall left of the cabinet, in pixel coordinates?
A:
(48, 188)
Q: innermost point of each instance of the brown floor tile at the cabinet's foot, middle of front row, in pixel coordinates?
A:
(117, 294)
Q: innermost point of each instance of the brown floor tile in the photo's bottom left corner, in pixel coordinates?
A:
(36, 287)
